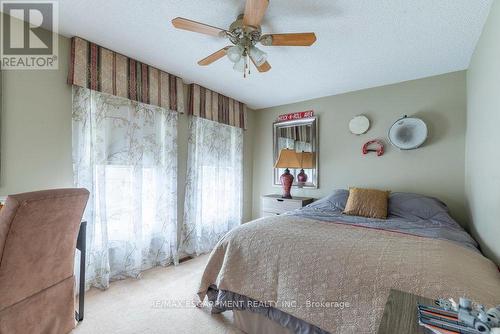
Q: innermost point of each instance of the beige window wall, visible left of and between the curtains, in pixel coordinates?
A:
(36, 134)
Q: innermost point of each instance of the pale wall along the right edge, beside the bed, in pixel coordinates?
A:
(483, 138)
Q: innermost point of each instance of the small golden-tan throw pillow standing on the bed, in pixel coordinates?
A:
(368, 203)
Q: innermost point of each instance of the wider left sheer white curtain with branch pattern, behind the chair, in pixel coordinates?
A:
(125, 153)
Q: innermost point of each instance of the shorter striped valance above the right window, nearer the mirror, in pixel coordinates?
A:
(216, 107)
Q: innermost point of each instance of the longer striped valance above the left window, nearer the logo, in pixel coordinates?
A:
(103, 70)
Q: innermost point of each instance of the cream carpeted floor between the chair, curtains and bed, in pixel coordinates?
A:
(149, 306)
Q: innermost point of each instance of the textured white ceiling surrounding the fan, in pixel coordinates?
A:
(361, 43)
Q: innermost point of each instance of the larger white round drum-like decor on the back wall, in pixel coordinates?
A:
(408, 133)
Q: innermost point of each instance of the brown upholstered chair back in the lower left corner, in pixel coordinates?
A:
(38, 233)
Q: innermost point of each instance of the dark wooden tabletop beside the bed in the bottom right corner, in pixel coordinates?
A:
(400, 313)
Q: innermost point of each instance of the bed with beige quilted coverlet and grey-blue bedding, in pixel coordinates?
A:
(315, 270)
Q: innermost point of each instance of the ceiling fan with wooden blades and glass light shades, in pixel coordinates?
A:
(245, 33)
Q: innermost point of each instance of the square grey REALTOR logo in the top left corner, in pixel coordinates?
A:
(29, 35)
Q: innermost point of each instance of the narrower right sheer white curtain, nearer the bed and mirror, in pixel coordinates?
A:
(214, 186)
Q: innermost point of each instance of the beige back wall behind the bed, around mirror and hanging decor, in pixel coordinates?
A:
(436, 169)
